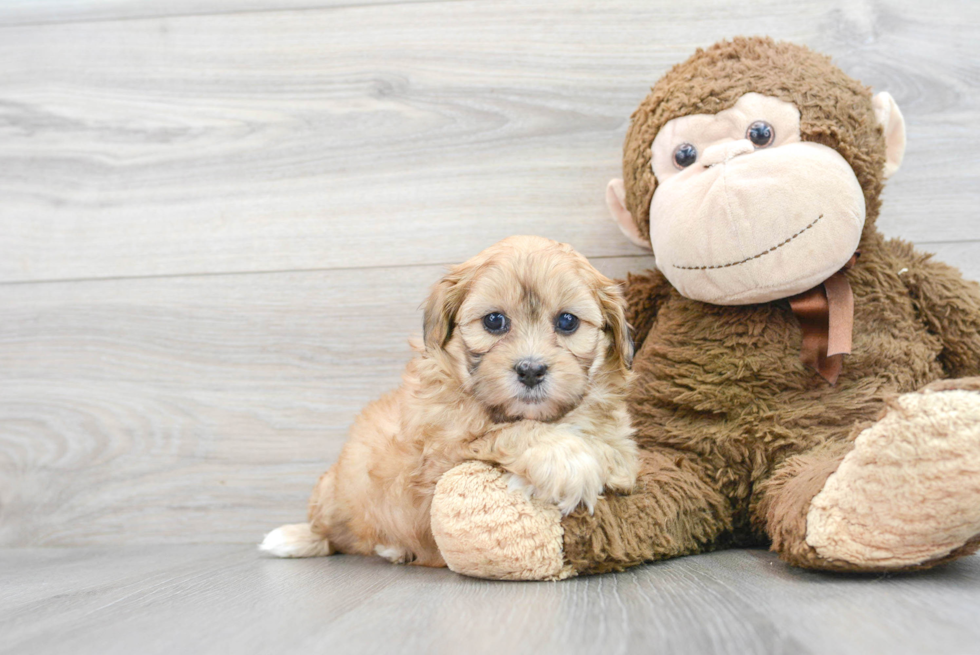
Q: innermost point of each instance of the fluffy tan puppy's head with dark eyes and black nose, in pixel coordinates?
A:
(529, 326)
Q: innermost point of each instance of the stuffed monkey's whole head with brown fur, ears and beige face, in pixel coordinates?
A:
(747, 169)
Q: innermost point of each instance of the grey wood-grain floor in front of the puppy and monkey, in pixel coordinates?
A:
(226, 599)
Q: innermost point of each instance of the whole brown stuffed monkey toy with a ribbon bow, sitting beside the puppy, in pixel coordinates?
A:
(800, 380)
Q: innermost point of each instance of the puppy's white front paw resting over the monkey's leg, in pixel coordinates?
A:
(561, 474)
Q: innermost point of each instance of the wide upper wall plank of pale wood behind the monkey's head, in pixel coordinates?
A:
(408, 133)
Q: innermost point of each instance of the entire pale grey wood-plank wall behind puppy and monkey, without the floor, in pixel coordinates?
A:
(215, 231)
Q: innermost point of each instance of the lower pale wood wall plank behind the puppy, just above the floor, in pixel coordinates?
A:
(195, 409)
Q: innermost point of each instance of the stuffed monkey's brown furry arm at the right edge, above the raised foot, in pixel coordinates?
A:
(950, 307)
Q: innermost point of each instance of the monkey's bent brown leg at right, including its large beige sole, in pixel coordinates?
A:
(904, 495)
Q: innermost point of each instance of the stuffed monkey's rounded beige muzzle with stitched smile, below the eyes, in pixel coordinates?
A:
(769, 224)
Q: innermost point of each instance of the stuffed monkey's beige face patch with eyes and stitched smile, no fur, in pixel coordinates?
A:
(747, 212)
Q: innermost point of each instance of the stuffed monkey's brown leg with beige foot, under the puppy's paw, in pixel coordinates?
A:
(485, 530)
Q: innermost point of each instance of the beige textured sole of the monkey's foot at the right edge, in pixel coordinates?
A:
(908, 494)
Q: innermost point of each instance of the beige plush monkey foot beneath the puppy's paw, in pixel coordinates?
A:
(485, 530)
